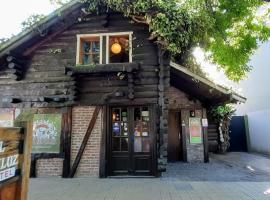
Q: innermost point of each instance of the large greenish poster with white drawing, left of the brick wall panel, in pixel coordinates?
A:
(46, 133)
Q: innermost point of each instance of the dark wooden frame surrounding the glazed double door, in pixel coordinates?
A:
(105, 156)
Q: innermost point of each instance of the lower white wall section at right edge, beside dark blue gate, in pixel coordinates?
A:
(259, 131)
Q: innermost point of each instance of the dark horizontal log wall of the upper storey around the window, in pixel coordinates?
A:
(46, 84)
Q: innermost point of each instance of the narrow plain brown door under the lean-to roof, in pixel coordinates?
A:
(174, 137)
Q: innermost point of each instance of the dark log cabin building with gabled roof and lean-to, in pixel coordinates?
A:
(125, 108)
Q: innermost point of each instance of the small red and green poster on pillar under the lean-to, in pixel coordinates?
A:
(195, 130)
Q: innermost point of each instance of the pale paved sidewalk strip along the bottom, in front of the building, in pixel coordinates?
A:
(145, 189)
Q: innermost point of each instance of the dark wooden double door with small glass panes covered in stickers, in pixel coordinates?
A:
(131, 141)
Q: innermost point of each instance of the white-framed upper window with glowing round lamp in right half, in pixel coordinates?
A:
(104, 48)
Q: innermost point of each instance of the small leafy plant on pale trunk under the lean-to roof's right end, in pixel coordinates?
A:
(222, 116)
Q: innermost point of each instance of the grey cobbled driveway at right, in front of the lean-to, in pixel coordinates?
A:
(230, 167)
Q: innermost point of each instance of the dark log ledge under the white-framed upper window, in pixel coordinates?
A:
(103, 68)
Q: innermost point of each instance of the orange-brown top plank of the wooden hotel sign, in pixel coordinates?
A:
(7, 134)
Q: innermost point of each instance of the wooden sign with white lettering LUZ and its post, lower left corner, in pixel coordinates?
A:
(15, 161)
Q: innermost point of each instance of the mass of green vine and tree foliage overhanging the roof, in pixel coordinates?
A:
(230, 31)
